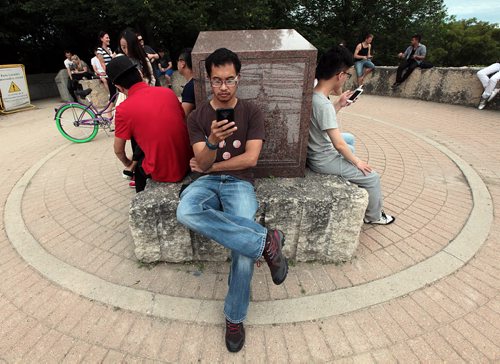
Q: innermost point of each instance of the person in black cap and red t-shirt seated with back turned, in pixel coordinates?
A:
(153, 116)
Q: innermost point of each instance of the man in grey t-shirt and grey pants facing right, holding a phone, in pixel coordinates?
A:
(327, 150)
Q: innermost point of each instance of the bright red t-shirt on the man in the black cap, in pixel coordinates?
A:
(155, 118)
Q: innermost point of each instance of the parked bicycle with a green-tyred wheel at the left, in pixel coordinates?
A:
(79, 122)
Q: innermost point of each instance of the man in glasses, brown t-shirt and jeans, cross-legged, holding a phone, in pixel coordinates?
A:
(221, 204)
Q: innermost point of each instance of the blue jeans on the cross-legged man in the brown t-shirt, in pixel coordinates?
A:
(223, 209)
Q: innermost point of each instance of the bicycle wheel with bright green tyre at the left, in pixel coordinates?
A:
(77, 123)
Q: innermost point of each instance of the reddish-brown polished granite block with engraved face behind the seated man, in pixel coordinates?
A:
(277, 73)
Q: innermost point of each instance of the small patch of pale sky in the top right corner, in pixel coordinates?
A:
(486, 10)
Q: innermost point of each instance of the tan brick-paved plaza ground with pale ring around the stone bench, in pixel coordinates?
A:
(423, 289)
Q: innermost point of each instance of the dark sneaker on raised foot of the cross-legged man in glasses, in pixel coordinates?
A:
(274, 256)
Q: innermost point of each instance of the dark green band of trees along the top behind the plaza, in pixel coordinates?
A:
(35, 32)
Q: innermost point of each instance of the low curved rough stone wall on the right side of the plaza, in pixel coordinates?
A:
(454, 85)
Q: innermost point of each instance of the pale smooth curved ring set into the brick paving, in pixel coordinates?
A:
(445, 262)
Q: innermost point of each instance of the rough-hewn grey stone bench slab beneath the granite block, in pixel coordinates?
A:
(320, 215)
